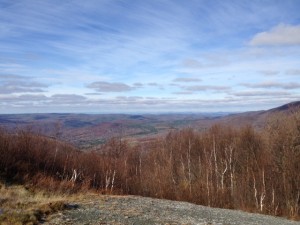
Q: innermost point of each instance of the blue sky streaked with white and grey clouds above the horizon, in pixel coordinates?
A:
(133, 56)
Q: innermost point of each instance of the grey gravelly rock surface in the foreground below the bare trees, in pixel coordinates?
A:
(131, 210)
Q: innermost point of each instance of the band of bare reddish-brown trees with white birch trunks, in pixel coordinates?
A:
(238, 168)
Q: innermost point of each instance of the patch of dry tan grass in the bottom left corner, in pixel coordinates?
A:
(21, 205)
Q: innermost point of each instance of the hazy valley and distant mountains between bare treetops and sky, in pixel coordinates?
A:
(88, 130)
